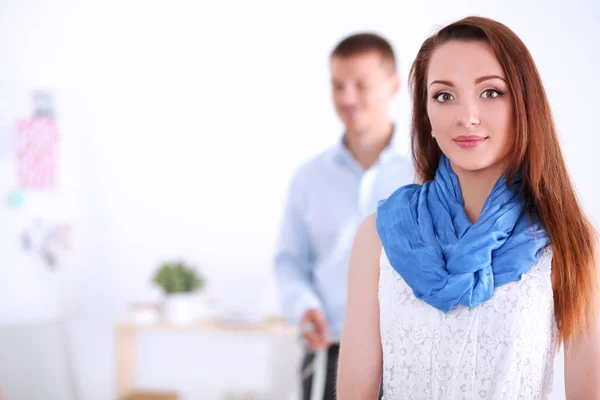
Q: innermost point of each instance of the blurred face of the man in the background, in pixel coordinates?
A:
(362, 87)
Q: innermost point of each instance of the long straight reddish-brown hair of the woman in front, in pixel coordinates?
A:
(546, 184)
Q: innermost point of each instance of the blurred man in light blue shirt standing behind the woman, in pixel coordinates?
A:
(331, 194)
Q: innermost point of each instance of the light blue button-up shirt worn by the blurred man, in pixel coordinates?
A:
(328, 198)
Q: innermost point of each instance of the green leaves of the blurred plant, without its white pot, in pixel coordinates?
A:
(178, 277)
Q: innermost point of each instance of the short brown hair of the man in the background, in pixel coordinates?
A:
(362, 43)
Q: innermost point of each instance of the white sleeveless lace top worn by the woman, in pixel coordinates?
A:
(502, 349)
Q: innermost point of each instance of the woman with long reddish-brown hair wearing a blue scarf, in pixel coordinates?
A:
(464, 287)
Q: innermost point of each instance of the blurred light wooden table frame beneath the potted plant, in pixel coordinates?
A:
(126, 335)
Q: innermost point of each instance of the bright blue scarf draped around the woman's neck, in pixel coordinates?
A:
(446, 259)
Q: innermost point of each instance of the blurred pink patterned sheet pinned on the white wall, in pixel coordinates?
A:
(37, 153)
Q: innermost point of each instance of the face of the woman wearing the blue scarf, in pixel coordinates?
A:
(469, 106)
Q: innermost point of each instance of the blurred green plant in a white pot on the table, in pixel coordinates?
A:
(180, 282)
